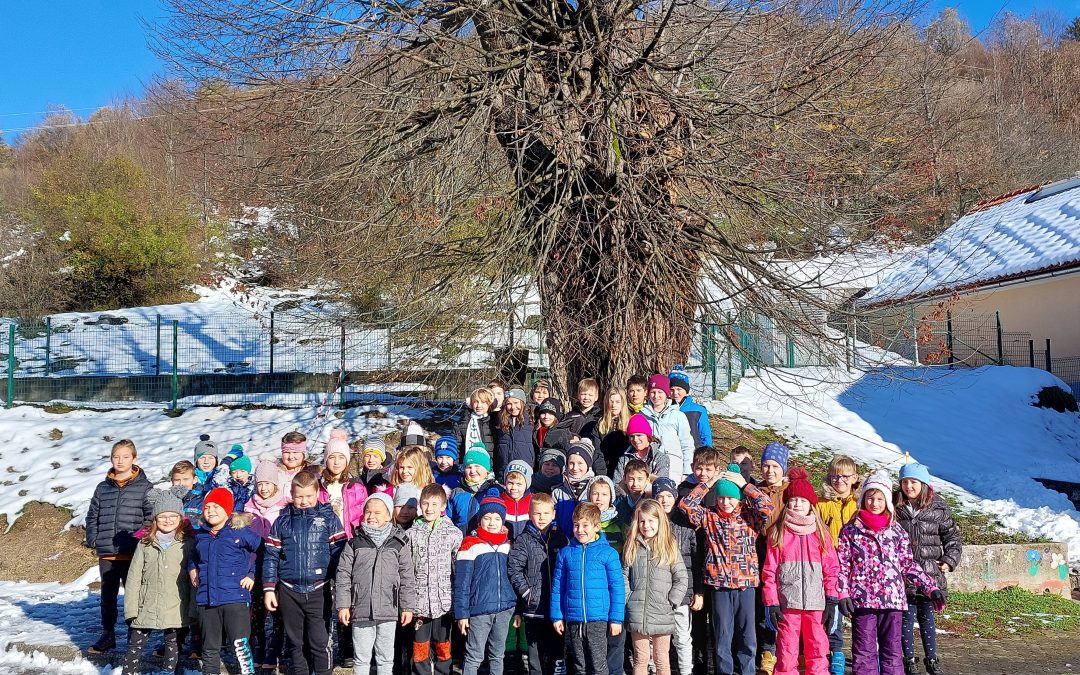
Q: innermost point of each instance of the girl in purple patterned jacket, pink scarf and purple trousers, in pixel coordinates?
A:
(875, 558)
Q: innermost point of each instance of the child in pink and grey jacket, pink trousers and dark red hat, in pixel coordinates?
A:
(800, 582)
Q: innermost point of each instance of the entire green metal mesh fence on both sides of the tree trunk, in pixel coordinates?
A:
(103, 361)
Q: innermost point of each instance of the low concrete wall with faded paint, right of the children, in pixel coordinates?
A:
(1034, 568)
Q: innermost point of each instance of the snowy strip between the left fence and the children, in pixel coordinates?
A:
(35, 467)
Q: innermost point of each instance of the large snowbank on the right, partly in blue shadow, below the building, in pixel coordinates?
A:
(976, 429)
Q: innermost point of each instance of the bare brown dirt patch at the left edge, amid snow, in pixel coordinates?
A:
(37, 548)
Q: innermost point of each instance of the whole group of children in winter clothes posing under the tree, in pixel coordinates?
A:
(426, 556)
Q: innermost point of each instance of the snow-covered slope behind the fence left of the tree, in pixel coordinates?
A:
(228, 331)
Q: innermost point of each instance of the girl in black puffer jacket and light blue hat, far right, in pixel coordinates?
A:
(936, 546)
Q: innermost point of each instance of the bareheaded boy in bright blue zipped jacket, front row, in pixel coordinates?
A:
(588, 593)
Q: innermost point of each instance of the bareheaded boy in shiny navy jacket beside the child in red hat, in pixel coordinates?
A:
(302, 552)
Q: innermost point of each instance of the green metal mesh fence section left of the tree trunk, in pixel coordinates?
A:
(237, 360)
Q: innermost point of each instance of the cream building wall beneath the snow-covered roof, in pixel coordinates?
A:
(1047, 309)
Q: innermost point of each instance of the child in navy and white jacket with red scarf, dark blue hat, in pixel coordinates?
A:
(484, 600)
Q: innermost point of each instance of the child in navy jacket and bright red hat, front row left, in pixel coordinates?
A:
(223, 571)
